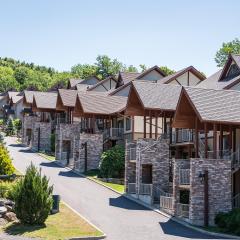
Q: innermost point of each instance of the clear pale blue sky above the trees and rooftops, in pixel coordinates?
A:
(62, 33)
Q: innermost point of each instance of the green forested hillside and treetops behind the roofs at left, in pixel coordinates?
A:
(17, 75)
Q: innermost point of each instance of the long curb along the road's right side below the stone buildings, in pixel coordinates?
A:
(222, 235)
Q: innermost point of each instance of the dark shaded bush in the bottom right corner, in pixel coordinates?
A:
(229, 222)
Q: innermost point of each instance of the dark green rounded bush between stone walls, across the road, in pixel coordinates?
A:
(112, 163)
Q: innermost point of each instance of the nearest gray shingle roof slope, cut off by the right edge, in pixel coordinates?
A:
(216, 105)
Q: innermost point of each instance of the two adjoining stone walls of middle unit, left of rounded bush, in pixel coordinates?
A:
(69, 139)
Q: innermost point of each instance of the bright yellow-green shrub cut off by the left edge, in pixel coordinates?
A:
(6, 166)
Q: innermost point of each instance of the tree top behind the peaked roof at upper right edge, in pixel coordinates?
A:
(227, 48)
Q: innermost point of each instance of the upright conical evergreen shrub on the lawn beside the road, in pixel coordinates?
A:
(33, 197)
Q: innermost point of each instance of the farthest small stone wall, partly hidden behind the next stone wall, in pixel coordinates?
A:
(27, 129)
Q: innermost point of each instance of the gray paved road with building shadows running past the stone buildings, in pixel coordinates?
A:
(118, 217)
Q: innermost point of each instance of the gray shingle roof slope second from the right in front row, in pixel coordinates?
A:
(158, 96)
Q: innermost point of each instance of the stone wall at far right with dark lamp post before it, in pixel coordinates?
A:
(219, 188)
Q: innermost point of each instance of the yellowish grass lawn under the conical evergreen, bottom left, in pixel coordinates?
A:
(63, 225)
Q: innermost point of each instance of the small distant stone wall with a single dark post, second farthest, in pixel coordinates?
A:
(42, 136)
